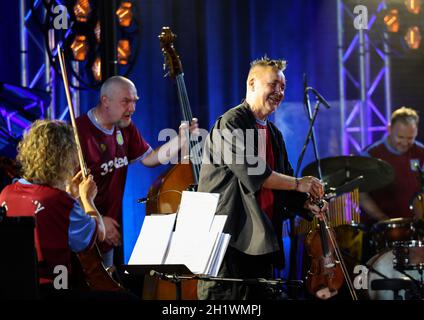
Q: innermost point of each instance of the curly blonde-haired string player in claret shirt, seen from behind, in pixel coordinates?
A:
(48, 157)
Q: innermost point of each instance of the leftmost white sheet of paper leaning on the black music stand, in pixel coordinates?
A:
(153, 239)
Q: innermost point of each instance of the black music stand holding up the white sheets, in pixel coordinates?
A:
(168, 272)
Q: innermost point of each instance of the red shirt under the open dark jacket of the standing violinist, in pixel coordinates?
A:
(265, 196)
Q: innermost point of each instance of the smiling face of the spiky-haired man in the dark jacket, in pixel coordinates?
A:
(266, 86)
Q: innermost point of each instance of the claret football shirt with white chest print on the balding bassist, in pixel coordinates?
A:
(107, 154)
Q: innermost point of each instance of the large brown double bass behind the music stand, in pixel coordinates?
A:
(164, 195)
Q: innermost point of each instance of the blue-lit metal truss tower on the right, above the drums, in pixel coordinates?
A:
(362, 117)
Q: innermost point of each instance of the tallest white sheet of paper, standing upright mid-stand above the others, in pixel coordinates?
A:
(196, 212)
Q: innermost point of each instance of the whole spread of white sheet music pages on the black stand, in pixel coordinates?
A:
(197, 242)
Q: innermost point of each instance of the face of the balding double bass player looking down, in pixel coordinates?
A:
(120, 104)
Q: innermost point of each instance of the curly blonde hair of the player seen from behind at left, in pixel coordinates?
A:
(48, 153)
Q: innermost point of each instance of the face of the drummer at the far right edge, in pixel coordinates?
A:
(402, 135)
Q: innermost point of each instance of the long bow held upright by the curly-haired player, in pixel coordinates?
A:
(61, 57)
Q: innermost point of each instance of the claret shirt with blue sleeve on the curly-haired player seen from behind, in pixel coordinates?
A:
(61, 226)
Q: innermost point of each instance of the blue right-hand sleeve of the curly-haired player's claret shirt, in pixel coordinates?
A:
(82, 229)
